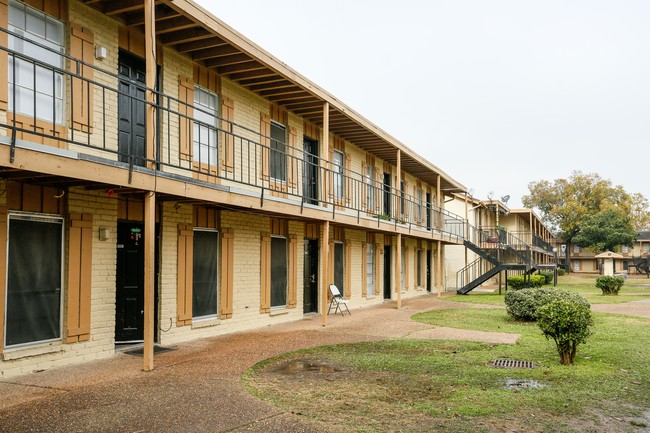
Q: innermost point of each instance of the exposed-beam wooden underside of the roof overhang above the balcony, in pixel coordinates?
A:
(194, 32)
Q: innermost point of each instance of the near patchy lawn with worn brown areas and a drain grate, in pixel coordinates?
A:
(450, 386)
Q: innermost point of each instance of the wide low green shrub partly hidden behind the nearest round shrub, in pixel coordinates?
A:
(523, 304)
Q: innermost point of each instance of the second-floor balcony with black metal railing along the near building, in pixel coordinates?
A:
(64, 103)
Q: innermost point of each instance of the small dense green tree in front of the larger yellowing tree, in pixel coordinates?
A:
(605, 231)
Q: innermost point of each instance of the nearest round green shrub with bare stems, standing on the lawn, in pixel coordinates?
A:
(567, 323)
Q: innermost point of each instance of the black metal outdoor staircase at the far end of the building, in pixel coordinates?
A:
(497, 250)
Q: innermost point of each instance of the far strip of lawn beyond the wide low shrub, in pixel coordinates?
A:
(634, 289)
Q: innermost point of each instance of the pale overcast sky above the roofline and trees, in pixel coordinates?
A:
(496, 93)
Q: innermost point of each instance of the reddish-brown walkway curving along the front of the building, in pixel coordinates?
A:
(197, 386)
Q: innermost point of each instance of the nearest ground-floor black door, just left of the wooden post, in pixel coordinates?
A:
(129, 293)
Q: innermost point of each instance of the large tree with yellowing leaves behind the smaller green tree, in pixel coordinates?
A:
(565, 203)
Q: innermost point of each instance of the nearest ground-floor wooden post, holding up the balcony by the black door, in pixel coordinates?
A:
(149, 276)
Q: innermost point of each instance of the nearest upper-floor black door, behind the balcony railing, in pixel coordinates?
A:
(131, 109)
